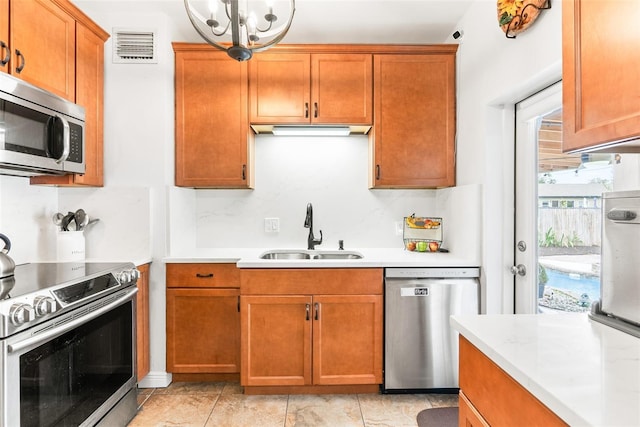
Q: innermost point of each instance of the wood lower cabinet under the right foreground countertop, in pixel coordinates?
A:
(489, 396)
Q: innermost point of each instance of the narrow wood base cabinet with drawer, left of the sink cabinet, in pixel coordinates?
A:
(203, 323)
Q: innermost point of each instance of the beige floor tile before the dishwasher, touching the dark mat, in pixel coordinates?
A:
(392, 410)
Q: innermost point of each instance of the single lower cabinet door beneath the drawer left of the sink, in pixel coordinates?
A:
(203, 331)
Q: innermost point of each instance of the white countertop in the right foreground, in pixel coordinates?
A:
(585, 372)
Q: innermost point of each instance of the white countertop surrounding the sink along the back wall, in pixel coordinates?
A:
(376, 257)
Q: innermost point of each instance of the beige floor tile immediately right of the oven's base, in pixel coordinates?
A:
(185, 410)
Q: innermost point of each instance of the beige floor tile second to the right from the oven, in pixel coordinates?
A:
(240, 410)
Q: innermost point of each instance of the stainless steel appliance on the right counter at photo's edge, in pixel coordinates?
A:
(619, 304)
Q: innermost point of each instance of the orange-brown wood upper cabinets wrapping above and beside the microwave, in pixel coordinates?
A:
(55, 46)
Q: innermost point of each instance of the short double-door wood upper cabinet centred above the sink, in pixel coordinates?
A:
(316, 88)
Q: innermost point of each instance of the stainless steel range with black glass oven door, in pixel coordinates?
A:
(68, 345)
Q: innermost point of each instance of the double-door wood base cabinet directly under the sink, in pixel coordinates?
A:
(310, 328)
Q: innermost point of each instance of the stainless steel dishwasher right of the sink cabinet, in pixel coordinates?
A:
(421, 349)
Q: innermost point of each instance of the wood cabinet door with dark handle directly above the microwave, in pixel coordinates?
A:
(45, 36)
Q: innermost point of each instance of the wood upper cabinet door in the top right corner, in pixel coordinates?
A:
(600, 73)
